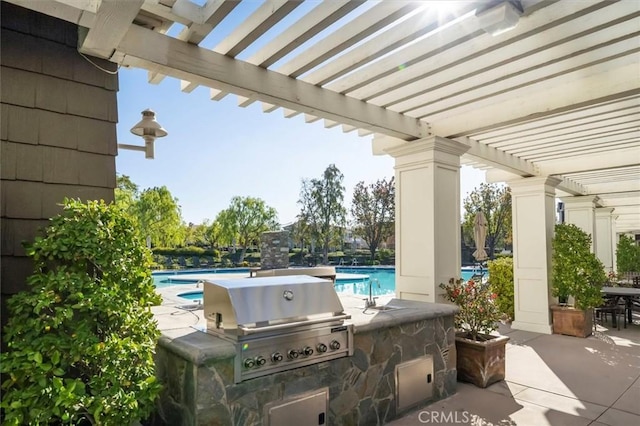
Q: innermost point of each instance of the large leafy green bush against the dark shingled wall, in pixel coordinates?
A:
(81, 341)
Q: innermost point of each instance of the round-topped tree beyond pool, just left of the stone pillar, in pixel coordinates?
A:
(245, 220)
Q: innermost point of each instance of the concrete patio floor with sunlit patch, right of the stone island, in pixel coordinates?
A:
(551, 380)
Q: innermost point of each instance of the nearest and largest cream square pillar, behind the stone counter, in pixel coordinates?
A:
(427, 174)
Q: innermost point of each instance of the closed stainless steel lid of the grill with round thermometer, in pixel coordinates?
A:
(257, 302)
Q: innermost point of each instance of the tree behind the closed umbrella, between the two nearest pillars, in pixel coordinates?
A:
(495, 202)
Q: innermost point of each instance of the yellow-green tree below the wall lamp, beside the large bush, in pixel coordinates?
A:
(159, 217)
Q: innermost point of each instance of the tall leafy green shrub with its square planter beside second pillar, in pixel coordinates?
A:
(578, 274)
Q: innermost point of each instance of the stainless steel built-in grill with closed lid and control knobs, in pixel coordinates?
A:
(278, 323)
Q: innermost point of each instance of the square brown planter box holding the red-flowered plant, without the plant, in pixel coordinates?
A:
(481, 363)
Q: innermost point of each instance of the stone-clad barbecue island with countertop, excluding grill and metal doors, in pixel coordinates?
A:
(197, 370)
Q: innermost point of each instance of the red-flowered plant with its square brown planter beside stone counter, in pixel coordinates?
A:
(480, 356)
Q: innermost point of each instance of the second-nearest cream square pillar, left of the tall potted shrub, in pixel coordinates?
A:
(533, 216)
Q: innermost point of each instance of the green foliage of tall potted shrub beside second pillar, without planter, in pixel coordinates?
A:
(576, 271)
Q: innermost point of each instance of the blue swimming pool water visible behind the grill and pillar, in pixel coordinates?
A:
(383, 280)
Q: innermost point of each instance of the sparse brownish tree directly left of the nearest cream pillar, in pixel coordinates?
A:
(373, 210)
